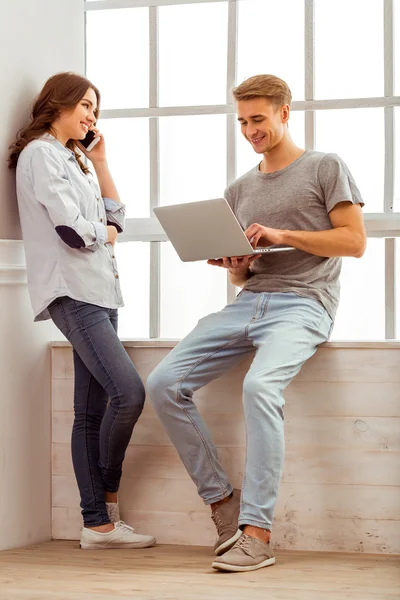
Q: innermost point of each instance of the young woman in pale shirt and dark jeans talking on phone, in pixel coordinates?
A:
(70, 226)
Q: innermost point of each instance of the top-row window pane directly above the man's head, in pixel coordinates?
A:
(271, 40)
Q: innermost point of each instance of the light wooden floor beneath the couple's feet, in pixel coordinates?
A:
(61, 571)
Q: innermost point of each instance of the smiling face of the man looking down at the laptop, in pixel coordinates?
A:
(262, 123)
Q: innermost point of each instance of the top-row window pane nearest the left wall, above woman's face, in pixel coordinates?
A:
(117, 56)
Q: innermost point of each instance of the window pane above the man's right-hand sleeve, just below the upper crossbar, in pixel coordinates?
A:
(357, 136)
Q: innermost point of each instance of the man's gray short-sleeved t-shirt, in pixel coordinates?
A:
(298, 197)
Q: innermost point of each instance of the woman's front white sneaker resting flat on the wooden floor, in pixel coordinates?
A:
(122, 536)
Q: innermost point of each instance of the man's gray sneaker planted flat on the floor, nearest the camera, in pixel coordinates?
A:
(248, 554)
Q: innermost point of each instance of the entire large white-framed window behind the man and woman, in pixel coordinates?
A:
(165, 75)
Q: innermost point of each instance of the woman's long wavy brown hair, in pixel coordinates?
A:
(61, 92)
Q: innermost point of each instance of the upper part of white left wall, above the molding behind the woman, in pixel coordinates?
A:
(37, 39)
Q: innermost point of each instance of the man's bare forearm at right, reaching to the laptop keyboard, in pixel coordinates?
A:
(340, 241)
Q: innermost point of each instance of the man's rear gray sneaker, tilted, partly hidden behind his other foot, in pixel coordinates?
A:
(226, 518)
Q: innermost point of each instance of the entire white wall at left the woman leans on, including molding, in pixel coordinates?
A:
(37, 39)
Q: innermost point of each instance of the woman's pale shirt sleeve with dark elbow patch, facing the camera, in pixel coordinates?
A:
(53, 190)
